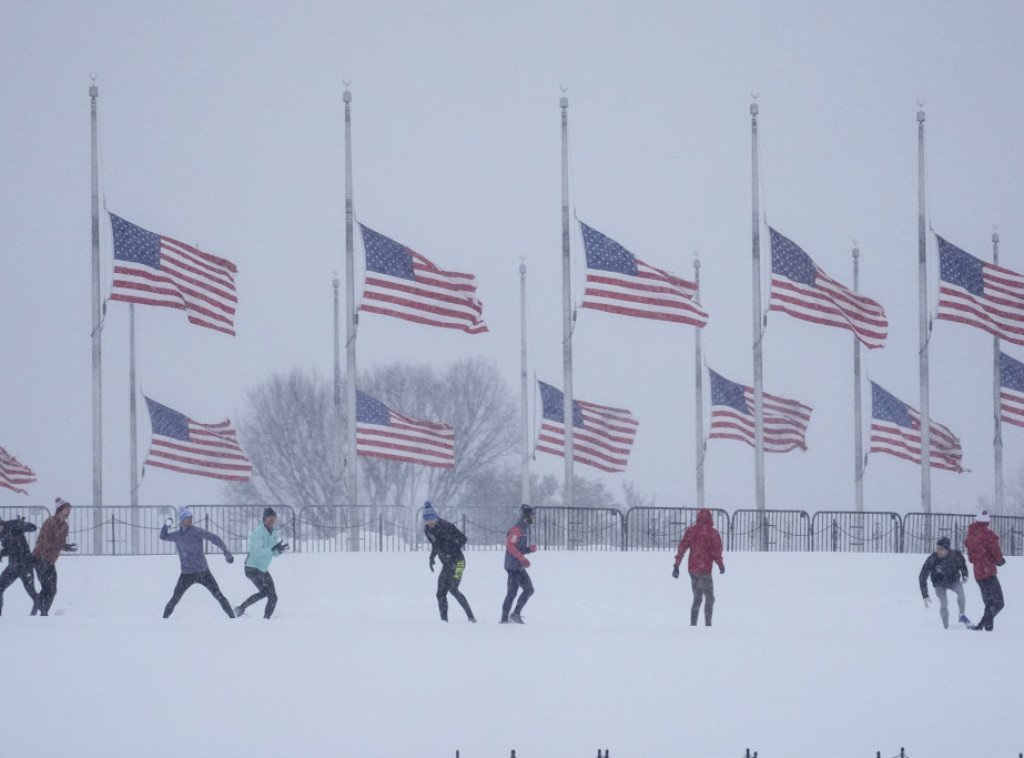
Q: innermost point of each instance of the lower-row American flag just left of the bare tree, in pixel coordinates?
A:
(188, 447)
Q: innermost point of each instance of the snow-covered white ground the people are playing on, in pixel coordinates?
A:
(812, 656)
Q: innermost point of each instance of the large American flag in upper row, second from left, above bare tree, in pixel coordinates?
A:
(404, 284)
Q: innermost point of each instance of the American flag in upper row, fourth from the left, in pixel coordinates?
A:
(801, 289)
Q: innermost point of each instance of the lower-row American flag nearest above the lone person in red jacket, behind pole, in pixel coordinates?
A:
(733, 417)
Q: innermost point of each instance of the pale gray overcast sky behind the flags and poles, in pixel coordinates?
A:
(222, 125)
